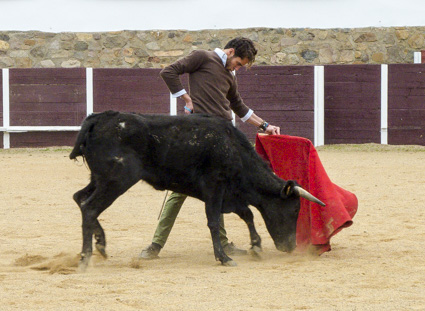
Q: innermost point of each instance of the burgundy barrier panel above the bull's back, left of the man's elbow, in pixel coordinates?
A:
(131, 90)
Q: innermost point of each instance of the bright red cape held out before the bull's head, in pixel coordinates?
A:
(296, 158)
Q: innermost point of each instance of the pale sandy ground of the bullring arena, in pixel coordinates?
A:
(376, 264)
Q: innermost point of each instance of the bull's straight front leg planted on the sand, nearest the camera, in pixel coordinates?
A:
(213, 211)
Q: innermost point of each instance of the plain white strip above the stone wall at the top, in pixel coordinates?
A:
(110, 15)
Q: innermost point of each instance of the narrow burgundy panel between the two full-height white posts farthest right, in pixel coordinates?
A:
(352, 104)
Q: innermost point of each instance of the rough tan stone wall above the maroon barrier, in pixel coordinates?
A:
(144, 49)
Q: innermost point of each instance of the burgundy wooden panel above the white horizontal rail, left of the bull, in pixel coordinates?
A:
(47, 97)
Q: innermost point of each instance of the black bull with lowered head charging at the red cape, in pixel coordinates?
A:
(200, 156)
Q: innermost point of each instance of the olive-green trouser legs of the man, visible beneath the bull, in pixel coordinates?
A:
(168, 217)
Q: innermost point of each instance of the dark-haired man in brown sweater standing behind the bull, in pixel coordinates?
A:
(214, 91)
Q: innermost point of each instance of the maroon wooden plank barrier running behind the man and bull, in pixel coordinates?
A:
(282, 95)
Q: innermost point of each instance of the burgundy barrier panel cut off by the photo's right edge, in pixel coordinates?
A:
(406, 104)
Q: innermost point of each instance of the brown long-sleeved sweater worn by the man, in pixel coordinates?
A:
(212, 87)
